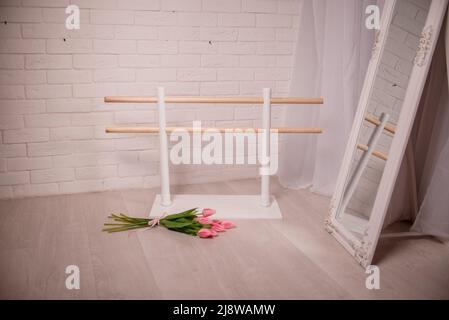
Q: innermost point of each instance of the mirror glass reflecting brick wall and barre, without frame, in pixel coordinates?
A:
(382, 114)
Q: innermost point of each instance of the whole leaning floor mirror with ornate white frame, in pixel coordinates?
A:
(393, 86)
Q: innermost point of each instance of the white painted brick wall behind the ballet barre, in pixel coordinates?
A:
(52, 81)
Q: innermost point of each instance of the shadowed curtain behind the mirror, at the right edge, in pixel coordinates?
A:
(433, 192)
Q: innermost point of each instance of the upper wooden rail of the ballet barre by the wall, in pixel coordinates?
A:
(221, 100)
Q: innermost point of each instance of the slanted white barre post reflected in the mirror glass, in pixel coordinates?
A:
(354, 180)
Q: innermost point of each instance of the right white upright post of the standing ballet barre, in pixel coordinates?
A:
(265, 159)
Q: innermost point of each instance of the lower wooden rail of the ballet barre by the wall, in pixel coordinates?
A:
(221, 130)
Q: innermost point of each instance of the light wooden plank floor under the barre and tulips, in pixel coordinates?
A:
(293, 258)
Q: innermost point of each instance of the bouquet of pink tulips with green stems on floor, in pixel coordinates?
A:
(190, 222)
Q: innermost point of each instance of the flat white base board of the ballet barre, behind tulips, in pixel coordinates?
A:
(227, 206)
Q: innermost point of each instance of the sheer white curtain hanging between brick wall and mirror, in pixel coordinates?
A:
(332, 54)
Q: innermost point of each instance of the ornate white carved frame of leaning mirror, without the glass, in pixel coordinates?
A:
(363, 248)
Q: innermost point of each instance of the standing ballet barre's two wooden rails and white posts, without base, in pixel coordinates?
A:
(266, 100)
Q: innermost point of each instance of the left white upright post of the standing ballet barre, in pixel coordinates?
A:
(163, 149)
